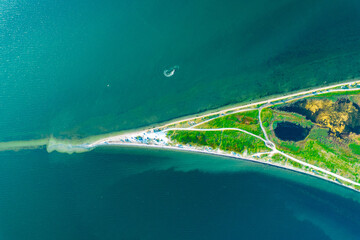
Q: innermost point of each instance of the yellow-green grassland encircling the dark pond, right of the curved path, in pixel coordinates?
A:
(318, 148)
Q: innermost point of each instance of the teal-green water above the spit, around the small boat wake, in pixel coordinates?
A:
(74, 69)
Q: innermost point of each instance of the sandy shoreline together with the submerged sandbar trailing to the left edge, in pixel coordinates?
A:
(121, 138)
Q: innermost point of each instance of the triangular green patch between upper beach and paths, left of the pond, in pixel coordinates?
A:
(245, 120)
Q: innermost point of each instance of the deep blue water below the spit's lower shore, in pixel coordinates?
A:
(152, 194)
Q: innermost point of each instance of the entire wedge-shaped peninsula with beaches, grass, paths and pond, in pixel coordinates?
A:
(316, 132)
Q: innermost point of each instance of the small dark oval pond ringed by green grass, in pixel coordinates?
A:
(288, 131)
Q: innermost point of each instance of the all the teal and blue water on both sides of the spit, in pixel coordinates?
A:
(74, 69)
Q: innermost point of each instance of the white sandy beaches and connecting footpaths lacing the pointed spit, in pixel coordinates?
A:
(160, 137)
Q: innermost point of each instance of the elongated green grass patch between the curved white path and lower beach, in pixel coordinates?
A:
(225, 140)
